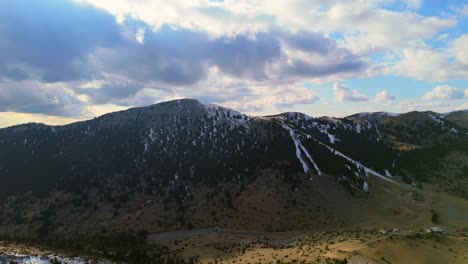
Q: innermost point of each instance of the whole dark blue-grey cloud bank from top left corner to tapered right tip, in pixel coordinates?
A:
(86, 43)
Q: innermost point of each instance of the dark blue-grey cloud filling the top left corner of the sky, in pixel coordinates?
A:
(52, 40)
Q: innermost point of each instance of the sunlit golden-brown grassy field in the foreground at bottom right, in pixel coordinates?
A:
(324, 247)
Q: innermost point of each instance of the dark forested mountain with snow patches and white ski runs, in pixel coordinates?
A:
(184, 164)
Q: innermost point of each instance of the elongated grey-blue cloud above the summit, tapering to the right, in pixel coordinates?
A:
(183, 57)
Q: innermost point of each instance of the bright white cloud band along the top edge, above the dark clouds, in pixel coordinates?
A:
(365, 25)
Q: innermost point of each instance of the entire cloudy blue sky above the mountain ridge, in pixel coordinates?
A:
(67, 60)
